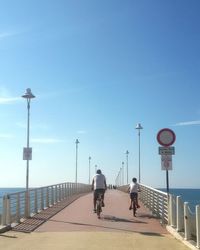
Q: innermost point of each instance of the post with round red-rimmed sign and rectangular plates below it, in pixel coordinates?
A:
(166, 137)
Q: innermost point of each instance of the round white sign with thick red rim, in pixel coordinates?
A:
(166, 137)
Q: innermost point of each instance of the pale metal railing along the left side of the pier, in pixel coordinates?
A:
(13, 209)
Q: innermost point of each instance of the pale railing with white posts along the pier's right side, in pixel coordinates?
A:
(172, 211)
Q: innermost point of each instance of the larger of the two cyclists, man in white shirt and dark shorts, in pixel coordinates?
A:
(99, 186)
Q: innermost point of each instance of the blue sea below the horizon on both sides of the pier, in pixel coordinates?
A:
(187, 194)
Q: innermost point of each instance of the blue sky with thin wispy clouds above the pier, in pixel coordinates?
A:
(97, 68)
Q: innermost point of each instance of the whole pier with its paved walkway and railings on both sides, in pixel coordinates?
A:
(65, 220)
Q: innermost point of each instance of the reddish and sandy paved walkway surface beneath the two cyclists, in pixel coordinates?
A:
(77, 227)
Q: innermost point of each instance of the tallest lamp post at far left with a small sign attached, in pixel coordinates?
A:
(27, 151)
